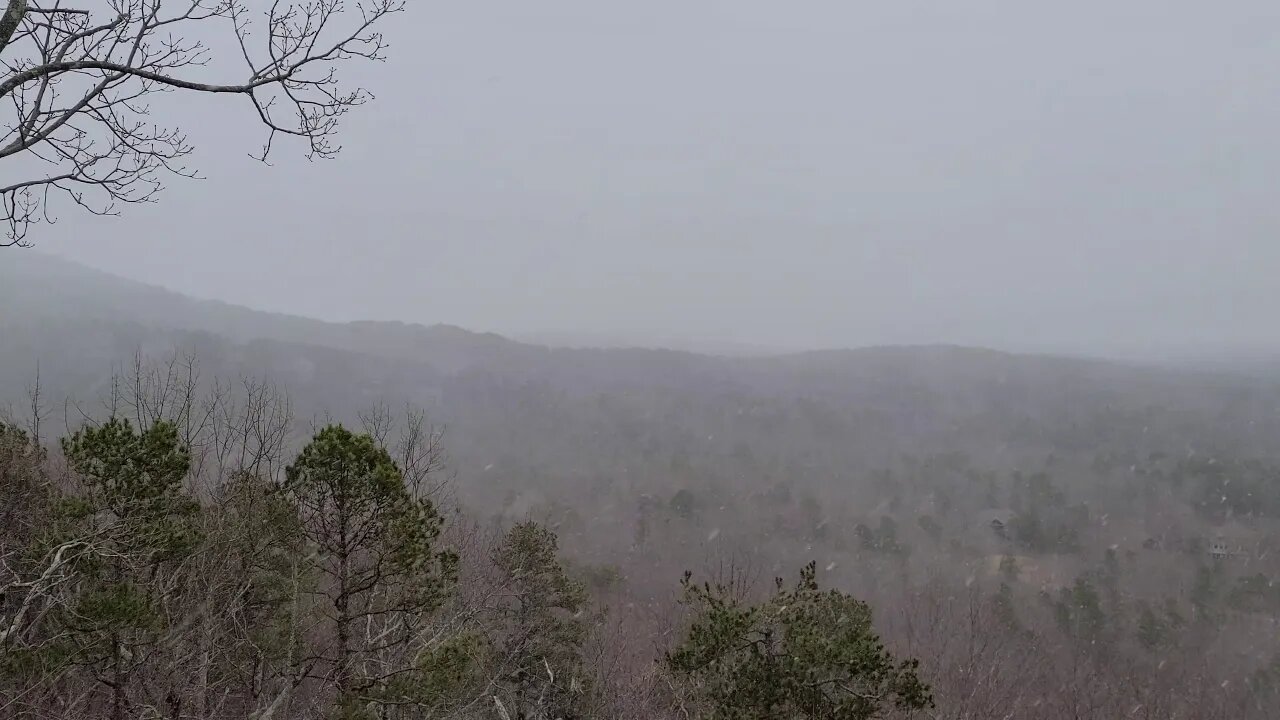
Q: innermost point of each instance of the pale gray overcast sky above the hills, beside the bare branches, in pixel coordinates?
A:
(1091, 176)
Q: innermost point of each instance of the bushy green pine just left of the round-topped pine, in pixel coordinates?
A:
(132, 525)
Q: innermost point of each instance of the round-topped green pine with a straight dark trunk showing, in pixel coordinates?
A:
(377, 558)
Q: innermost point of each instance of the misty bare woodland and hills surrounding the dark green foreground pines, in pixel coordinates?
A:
(1091, 537)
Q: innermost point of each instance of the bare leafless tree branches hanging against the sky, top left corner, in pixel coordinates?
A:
(77, 81)
